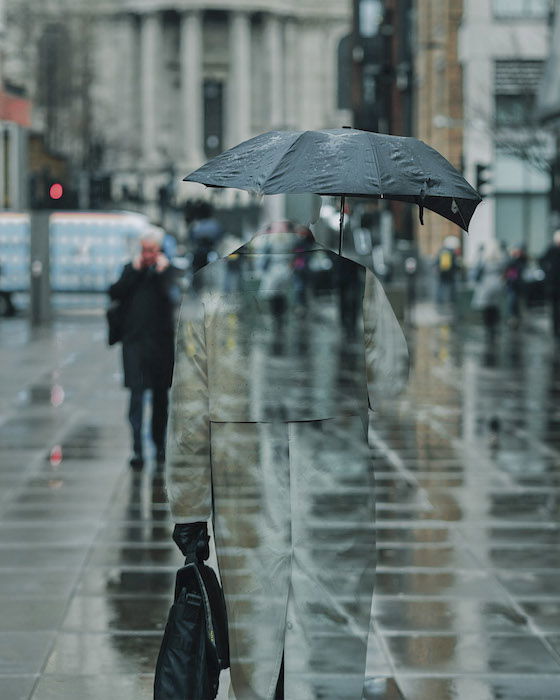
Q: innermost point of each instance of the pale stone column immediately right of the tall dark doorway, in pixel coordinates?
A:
(239, 95)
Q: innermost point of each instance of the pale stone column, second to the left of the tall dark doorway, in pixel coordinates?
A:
(150, 29)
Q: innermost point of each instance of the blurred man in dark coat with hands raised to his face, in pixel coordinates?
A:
(144, 289)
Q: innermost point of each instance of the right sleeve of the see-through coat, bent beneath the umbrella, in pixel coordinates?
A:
(386, 349)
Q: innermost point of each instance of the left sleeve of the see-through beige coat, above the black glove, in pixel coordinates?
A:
(188, 462)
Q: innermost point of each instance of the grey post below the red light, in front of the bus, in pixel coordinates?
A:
(40, 302)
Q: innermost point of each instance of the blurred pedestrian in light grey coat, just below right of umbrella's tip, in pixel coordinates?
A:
(489, 286)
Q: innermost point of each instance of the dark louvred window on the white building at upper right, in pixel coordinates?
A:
(515, 88)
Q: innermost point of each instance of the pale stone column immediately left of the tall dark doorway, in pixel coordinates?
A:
(192, 108)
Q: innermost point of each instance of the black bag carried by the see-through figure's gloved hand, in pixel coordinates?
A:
(195, 645)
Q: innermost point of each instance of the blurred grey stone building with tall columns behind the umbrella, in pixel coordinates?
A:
(145, 90)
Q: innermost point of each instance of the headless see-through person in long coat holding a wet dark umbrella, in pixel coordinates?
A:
(273, 448)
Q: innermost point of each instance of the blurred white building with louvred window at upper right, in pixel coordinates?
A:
(502, 49)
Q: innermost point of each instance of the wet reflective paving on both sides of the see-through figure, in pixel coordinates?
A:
(467, 601)
